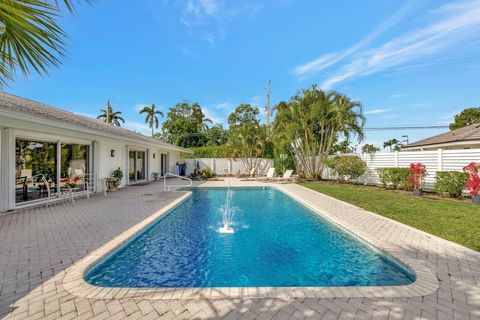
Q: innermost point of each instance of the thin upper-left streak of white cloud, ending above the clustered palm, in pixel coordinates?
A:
(329, 59)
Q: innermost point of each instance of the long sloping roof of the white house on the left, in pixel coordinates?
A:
(12, 103)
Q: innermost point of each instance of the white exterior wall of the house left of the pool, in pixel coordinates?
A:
(101, 161)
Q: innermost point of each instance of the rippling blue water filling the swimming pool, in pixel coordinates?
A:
(277, 242)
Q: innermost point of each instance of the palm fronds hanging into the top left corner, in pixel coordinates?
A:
(30, 37)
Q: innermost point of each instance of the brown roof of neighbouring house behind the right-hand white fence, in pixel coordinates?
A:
(468, 133)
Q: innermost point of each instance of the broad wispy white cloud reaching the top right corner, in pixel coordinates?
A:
(453, 25)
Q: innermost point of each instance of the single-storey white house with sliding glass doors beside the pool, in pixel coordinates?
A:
(38, 140)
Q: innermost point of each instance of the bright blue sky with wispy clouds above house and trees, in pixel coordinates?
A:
(408, 62)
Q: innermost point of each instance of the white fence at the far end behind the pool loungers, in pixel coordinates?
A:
(222, 165)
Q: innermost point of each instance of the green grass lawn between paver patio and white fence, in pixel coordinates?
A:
(452, 220)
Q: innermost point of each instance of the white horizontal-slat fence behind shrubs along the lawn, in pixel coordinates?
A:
(437, 160)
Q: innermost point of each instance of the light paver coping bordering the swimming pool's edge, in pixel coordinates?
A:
(426, 282)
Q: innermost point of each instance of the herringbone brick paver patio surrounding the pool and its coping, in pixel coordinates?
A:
(38, 245)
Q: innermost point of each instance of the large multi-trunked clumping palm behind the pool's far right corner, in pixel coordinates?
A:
(312, 121)
